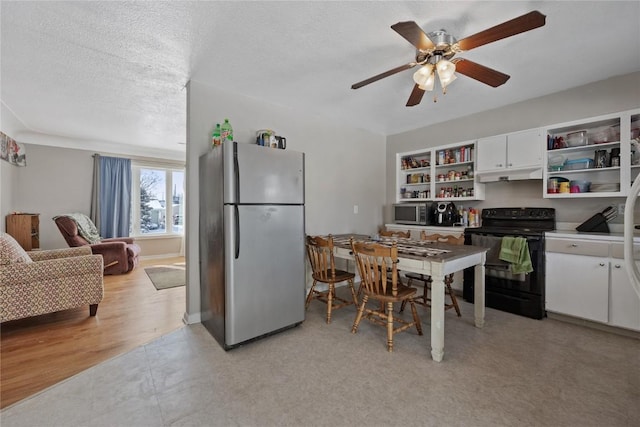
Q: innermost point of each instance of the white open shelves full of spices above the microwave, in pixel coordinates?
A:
(440, 173)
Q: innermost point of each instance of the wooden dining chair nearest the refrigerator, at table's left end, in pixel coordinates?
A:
(320, 253)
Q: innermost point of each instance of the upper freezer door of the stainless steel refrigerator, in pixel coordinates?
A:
(255, 175)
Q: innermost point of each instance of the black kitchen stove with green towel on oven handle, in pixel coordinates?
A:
(521, 293)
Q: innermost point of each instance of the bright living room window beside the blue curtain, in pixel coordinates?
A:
(158, 200)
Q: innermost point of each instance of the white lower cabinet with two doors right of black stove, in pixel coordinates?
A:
(588, 279)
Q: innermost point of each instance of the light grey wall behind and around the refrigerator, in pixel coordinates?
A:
(344, 166)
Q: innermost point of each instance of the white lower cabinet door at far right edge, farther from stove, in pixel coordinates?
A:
(624, 304)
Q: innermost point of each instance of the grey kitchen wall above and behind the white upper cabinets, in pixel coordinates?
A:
(607, 96)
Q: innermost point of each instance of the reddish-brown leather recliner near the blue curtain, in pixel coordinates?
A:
(120, 254)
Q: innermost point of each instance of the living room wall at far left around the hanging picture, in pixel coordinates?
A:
(9, 125)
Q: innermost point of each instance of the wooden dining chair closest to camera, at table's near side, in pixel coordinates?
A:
(372, 260)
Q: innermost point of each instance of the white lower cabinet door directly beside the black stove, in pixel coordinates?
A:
(578, 285)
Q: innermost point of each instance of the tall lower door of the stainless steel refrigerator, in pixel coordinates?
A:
(264, 269)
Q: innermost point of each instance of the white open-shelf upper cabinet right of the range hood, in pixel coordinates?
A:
(597, 150)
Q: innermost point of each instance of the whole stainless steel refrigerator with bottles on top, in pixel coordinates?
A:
(252, 265)
